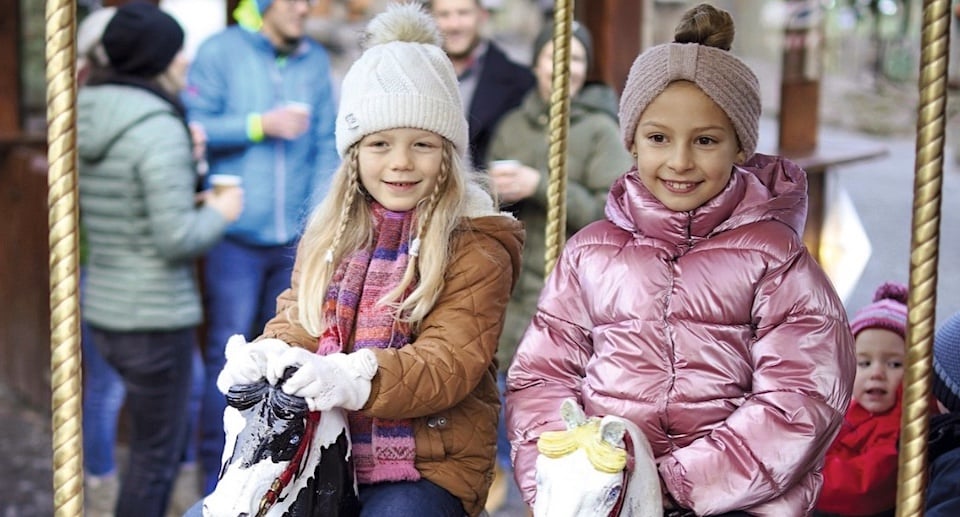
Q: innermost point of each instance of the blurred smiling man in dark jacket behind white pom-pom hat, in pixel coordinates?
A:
(490, 83)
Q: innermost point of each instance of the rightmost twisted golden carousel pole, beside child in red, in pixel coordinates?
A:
(924, 256)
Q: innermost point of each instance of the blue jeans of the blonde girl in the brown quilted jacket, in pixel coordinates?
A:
(405, 499)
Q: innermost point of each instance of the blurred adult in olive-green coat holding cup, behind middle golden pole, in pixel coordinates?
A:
(519, 173)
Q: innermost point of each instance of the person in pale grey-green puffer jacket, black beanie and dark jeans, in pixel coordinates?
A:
(144, 227)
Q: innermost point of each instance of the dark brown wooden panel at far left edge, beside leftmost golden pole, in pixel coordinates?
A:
(24, 272)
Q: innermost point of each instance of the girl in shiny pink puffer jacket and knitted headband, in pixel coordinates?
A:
(694, 310)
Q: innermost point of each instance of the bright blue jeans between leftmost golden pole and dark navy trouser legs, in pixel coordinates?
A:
(103, 395)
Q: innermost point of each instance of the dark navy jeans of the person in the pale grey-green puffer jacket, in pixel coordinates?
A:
(156, 372)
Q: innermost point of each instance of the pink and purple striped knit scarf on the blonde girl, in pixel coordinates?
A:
(383, 450)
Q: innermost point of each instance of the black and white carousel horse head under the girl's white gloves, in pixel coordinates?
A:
(280, 460)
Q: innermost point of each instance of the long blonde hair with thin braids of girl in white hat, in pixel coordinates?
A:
(343, 224)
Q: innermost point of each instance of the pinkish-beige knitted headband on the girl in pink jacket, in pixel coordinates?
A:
(723, 77)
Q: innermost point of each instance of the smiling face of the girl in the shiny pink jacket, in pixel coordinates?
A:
(685, 146)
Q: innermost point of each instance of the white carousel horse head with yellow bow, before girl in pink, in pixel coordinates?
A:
(596, 467)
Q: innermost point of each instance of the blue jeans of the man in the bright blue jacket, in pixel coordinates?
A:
(242, 283)
